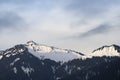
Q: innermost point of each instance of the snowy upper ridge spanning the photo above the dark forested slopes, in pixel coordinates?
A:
(42, 51)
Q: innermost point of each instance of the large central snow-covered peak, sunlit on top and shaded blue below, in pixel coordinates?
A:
(49, 52)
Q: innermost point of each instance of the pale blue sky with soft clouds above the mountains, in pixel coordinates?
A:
(81, 25)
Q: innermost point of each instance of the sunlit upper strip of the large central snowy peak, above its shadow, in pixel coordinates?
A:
(46, 49)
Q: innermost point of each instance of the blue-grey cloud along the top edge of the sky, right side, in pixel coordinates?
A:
(90, 7)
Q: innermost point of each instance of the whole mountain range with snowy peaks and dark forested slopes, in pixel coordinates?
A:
(33, 61)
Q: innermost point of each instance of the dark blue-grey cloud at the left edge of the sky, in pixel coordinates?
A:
(10, 20)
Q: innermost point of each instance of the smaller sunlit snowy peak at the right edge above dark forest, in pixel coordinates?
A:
(112, 50)
